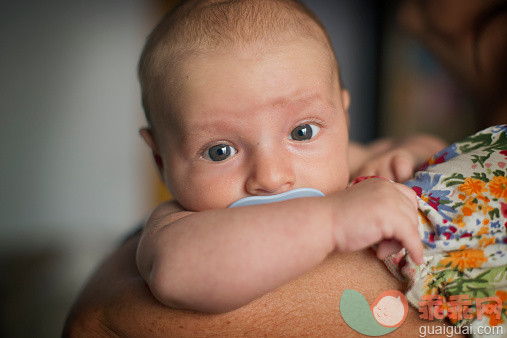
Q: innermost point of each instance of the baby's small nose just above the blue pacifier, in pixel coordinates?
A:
(270, 173)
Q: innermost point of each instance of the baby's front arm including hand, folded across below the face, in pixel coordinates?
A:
(219, 260)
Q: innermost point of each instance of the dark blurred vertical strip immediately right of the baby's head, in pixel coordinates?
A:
(355, 32)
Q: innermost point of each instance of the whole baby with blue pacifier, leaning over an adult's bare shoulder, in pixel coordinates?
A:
(243, 98)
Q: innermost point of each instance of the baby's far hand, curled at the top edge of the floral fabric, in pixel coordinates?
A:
(397, 165)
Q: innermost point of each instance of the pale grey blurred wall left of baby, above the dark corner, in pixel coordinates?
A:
(71, 155)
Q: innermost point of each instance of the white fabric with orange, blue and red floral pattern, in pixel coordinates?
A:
(462, 200)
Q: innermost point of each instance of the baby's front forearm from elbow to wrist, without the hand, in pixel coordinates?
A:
(219, 260)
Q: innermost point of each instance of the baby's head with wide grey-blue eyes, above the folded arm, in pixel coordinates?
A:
(243, 98)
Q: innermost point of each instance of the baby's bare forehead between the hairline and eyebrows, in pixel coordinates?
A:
(194, 85)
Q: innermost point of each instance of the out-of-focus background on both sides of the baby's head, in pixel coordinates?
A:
(75, 177)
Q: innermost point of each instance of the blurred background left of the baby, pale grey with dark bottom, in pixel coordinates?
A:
(75, 175)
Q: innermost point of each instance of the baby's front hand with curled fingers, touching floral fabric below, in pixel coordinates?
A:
(375, 210)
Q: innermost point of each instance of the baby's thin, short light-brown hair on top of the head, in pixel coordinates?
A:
(196, 26)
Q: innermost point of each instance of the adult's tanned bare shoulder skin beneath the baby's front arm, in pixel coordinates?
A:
(117, 302)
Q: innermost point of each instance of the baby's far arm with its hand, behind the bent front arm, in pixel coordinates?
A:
(393, 160)
